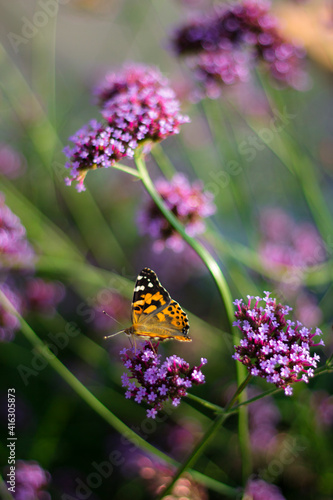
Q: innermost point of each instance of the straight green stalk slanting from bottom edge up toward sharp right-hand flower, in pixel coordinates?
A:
(211, 432)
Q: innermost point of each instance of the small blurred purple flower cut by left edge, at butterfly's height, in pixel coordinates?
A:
(9, 323)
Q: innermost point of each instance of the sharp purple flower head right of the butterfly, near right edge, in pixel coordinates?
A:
(273, 347)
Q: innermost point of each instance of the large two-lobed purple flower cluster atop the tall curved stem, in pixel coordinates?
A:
(138, 106)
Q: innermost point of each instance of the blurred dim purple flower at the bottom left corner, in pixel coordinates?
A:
(31, 480)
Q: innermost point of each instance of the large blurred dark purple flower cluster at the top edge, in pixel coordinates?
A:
(222, 45)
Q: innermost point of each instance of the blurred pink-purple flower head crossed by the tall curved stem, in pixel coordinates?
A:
(187, 202)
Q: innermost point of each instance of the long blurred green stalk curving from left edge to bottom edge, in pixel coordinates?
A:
(97, 406)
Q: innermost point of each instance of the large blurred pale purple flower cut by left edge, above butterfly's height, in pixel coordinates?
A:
(15, 251)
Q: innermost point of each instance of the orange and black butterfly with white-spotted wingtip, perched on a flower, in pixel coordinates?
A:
(155, 315)
